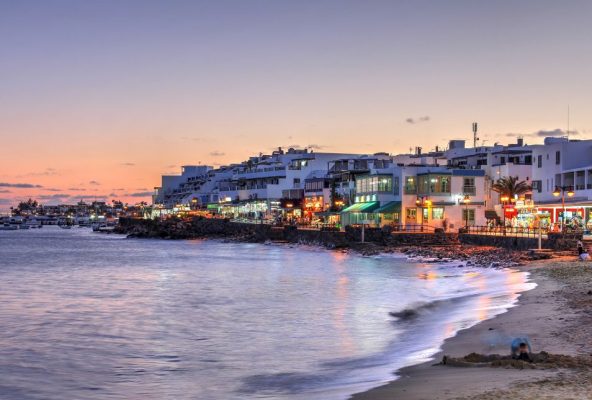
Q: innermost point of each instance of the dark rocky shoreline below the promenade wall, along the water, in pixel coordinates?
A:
(428, 248)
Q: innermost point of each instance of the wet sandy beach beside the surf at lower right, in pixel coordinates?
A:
(557, 318)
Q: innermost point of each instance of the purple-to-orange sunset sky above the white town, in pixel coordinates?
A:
(99, 98)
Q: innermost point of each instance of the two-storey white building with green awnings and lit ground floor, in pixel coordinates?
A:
(428, 196)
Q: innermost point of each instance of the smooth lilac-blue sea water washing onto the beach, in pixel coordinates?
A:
(91, 316)
